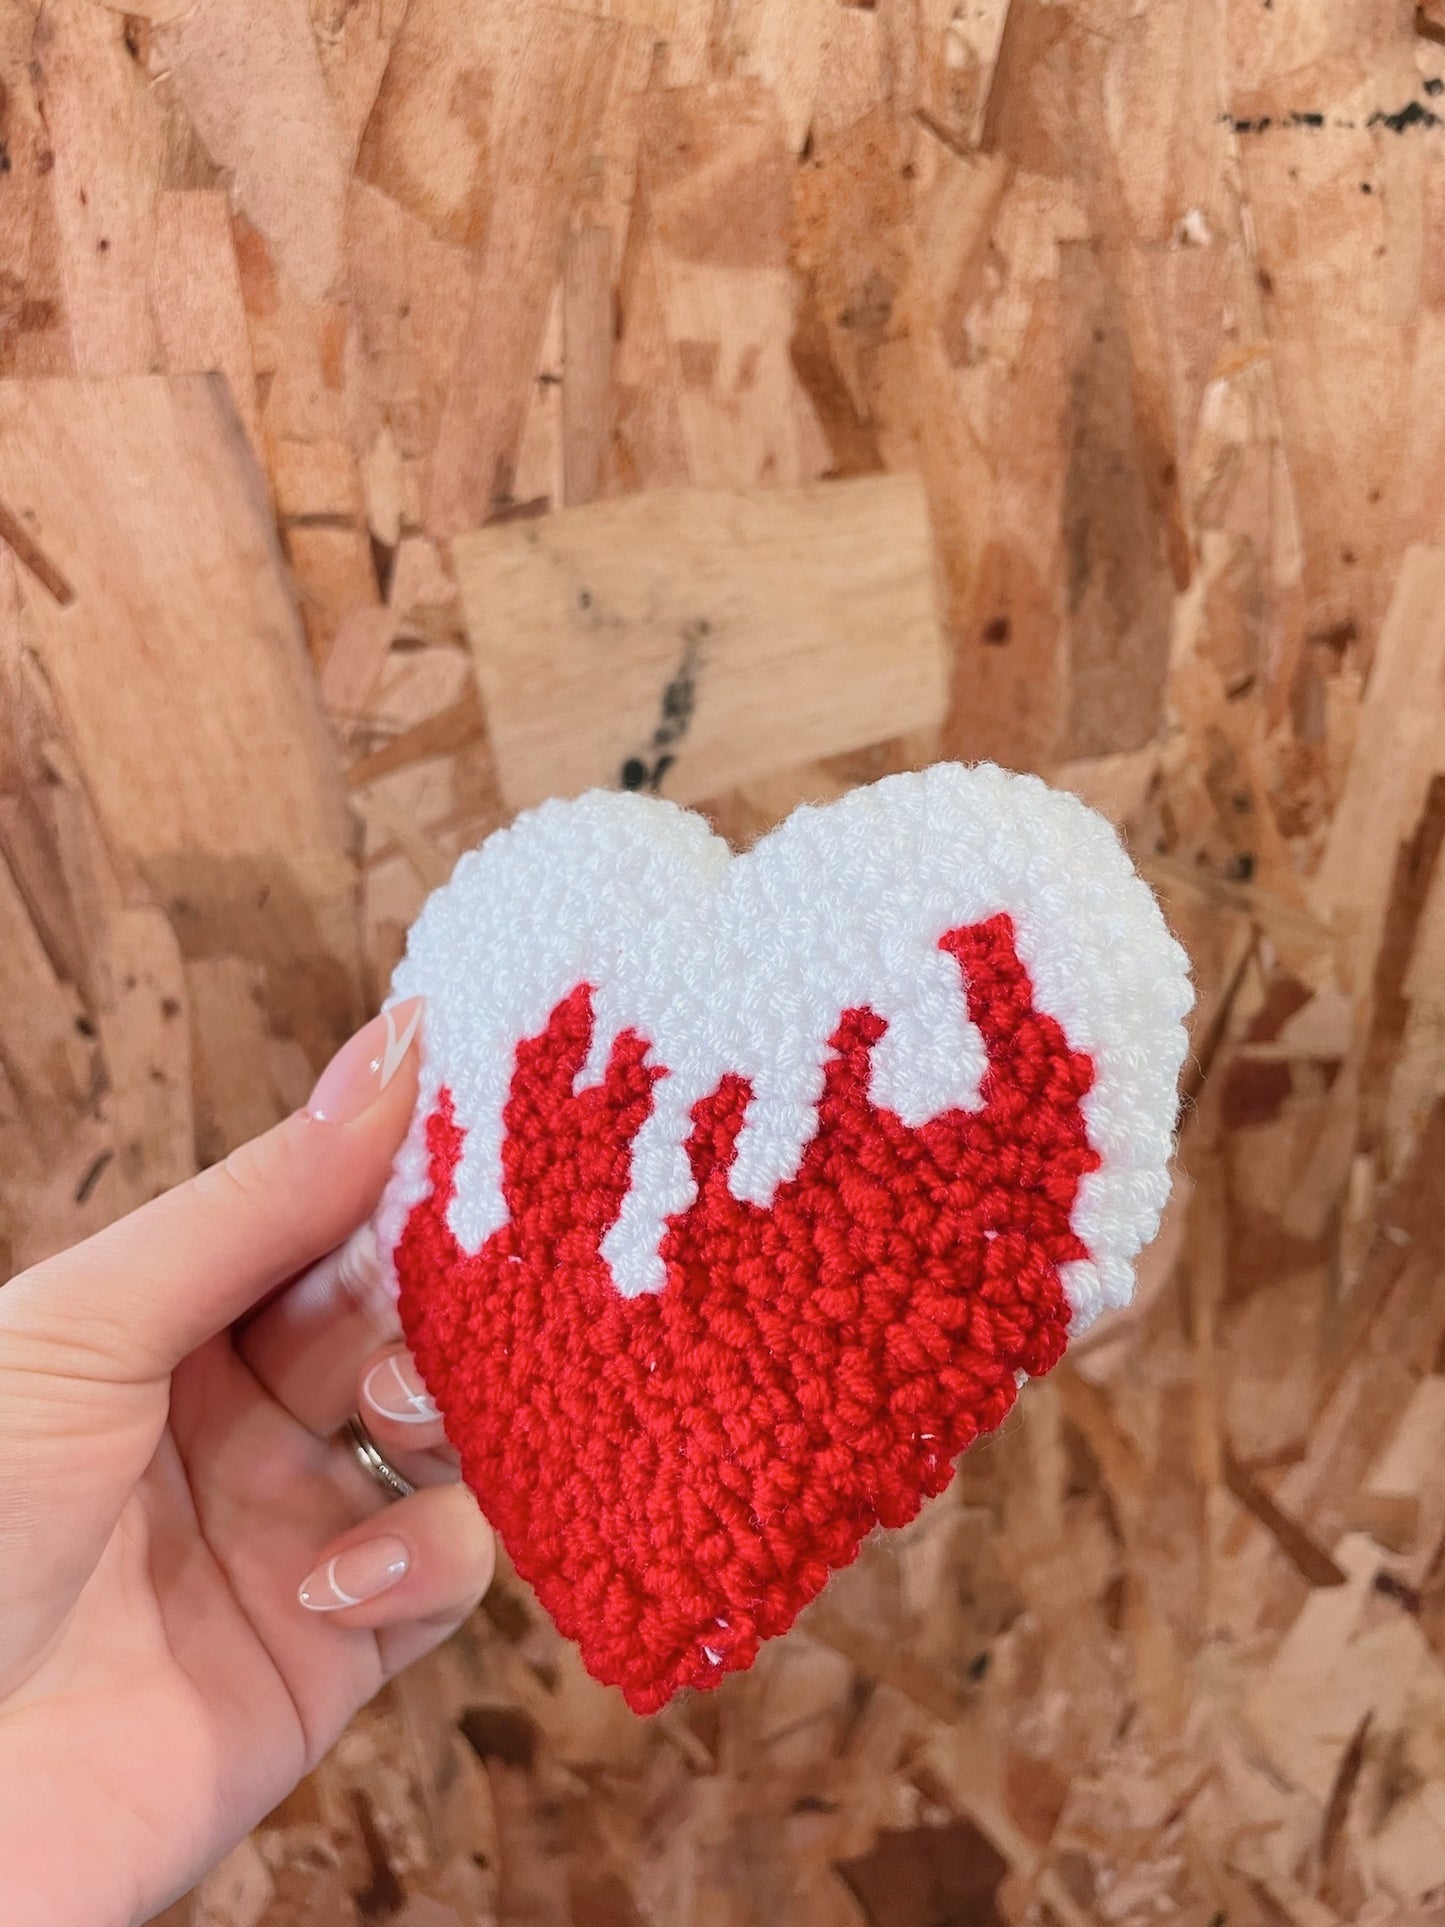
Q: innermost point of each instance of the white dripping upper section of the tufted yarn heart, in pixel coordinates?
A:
(745, 964)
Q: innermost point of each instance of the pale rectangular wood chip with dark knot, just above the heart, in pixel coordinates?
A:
(691, 641)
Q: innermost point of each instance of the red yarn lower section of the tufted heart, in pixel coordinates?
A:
(677, 1473)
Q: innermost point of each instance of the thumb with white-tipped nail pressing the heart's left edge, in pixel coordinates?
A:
(90, 1338)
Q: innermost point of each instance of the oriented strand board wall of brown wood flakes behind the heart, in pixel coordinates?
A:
(1072, 377)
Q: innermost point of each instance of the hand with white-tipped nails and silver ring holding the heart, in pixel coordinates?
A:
(199, 1585)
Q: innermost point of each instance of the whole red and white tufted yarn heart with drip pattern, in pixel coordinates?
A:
(745, 1192)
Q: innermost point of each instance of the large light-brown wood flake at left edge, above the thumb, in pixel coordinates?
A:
(178, 656)
